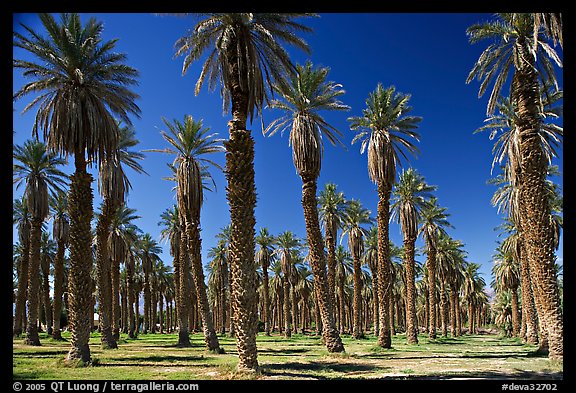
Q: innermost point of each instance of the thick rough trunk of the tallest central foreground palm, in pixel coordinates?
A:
(241, 195)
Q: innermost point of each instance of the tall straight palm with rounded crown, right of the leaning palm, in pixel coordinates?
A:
(386, 129)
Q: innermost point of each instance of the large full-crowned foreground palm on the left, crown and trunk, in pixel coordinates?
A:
(81, 82)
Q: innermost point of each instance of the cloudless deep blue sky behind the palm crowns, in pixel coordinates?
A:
(426, 55)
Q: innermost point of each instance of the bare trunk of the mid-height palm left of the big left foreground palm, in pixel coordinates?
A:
(34, 283)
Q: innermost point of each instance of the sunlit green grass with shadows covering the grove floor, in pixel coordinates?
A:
(302, 357)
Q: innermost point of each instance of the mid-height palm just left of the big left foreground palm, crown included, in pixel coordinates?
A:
(37, 170)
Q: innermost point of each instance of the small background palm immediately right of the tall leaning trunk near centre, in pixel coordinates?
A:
(332, 210)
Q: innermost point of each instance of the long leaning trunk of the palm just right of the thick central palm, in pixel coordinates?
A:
(331, 336)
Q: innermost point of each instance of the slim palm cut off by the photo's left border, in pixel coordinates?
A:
(21, 218)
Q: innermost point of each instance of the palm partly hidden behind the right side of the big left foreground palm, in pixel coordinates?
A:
(113, 185)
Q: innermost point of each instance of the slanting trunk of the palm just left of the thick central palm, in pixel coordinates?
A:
(194, 248)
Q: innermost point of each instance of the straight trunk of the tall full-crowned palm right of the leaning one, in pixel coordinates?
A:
(384, 278)
